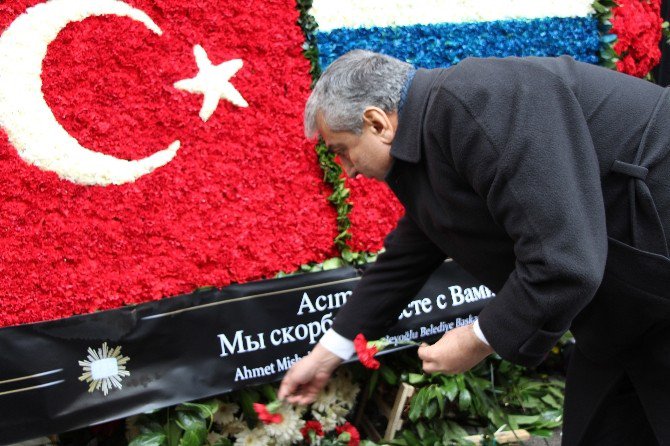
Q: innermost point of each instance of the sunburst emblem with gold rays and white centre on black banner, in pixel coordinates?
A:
(104, 368)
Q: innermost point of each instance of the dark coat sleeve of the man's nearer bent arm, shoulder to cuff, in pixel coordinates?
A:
(521, 141)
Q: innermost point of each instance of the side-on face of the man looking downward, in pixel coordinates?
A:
(367, 154)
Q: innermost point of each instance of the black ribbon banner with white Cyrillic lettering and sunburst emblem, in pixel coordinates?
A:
(65, 374)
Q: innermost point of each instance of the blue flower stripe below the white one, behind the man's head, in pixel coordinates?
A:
(442, 45)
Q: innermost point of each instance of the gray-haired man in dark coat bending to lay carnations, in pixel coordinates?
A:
(549, 181)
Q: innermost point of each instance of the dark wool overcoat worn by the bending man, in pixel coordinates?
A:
(528, 172)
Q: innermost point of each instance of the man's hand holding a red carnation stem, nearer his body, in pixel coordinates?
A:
(456, 352)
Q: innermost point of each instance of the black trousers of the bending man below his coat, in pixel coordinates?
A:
(624, 403)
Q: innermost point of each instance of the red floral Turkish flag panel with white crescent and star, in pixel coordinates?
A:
(150, 147)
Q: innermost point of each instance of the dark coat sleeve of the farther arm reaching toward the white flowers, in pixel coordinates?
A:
(387, 286)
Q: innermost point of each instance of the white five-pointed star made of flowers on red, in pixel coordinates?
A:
(213, 82)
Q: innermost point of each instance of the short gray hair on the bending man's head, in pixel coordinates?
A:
(354, 81)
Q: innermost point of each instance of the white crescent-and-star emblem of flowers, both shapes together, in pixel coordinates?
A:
(31, 125)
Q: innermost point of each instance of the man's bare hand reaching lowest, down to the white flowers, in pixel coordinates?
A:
(307, 377)
